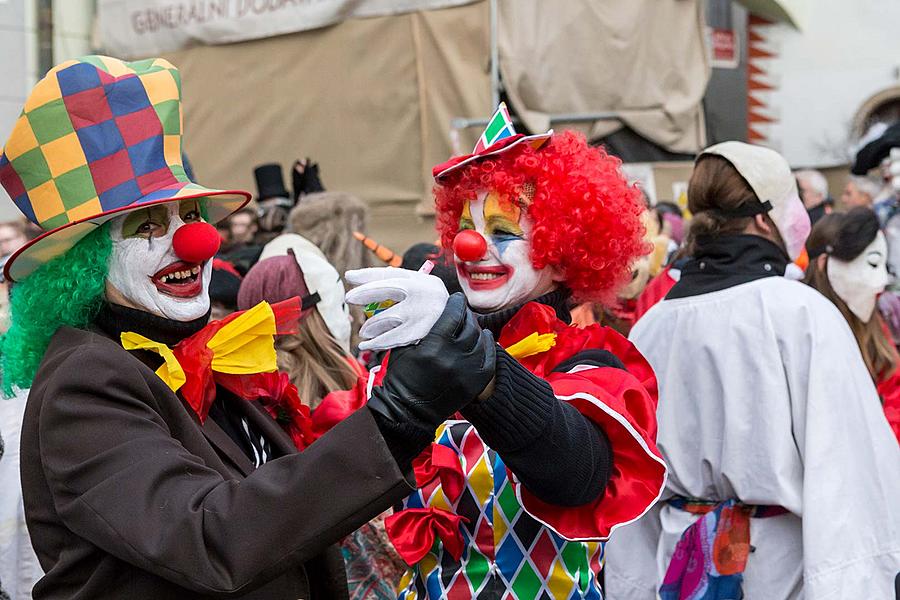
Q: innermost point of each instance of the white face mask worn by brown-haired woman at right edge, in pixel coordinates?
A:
(859, 281)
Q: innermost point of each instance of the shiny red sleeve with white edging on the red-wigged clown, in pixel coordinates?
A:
(622, 403)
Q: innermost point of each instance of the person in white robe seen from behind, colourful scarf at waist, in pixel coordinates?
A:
(783, 474)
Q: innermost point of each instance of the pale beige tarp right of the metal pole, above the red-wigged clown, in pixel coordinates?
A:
(643, 58)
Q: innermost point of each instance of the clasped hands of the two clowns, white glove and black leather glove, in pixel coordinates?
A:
(440, 358)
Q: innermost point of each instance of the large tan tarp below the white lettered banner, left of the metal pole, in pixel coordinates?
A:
(369, 99)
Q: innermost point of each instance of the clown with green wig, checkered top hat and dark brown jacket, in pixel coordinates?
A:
(161, 453)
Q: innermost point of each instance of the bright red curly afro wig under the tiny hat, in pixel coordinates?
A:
(587, 219)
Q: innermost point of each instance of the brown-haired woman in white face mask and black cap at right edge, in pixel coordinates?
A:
(848, 258)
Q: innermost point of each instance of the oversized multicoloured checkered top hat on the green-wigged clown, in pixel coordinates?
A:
(97, 138)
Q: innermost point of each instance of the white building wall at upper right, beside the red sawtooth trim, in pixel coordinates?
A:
(845, 52)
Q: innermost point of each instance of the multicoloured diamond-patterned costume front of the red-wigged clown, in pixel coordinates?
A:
(508, 554)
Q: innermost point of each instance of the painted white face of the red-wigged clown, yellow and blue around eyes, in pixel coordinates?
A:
(504, 276)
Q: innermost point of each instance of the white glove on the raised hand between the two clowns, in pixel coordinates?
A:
(419, 301)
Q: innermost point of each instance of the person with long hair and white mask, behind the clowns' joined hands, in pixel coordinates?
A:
(328, 379)
